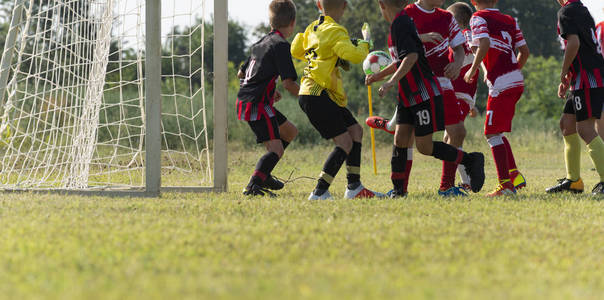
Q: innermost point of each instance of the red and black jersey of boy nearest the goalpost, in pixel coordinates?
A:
(270, 58)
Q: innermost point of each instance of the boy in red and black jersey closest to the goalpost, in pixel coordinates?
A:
(269, 59)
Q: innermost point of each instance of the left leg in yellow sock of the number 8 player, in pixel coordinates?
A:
(572, 153)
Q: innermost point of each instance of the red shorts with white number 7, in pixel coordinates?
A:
(500, 111)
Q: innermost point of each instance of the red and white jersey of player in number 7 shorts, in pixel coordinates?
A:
(503, 72)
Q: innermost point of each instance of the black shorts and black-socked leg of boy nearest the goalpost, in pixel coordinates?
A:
(267, 132)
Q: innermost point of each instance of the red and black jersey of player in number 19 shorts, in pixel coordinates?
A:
(419, 84)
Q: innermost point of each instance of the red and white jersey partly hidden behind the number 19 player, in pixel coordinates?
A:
(442, 22)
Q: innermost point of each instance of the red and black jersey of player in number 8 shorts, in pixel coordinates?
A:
(588, 67)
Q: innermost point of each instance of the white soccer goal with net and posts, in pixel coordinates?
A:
(113, 96)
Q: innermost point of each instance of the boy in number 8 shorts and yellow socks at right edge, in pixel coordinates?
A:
(582, 72)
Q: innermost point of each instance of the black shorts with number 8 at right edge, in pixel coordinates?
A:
(585, 105)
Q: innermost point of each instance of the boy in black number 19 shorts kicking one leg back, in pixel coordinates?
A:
(420, 105)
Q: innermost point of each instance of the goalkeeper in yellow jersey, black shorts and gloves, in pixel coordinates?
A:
(324, 45)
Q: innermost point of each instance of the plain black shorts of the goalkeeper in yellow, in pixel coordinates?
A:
(326, 116)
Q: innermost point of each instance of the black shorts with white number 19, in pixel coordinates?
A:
(427, 117)
